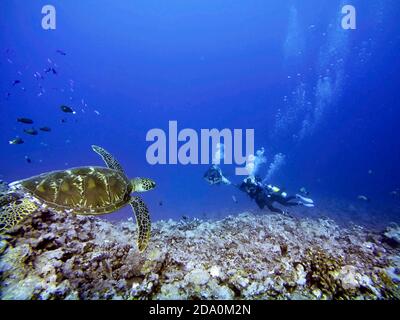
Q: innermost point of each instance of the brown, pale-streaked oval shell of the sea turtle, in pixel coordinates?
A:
(84, 190)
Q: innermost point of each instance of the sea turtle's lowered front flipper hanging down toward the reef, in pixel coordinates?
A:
(143, 222)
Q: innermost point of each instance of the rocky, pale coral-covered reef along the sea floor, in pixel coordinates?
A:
(60, 256)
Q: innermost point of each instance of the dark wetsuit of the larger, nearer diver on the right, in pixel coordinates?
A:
(265, 196)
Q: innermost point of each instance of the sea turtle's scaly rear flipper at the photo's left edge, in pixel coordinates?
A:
(14, 212)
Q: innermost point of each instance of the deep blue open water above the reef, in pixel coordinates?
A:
(325, 97)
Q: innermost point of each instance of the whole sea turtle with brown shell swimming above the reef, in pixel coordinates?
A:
(83, 191)
